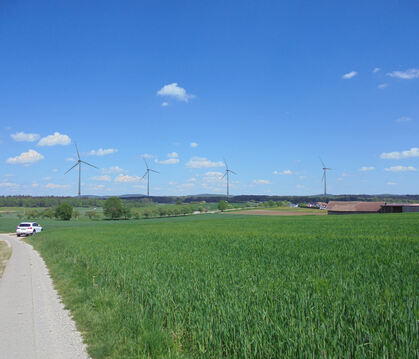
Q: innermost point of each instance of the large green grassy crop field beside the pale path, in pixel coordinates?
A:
(231, 286)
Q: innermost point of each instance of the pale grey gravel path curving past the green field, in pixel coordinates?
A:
(33, 321)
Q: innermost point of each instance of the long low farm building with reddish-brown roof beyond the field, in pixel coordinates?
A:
(357, 207)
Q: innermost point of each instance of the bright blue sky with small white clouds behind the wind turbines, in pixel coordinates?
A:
(268, 85)
